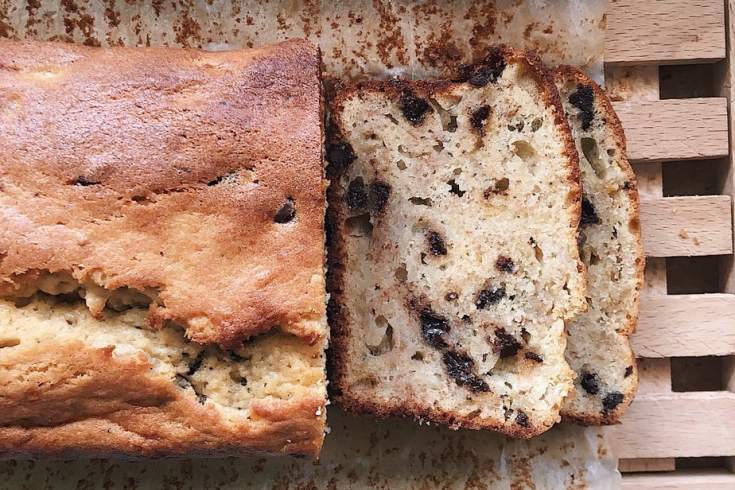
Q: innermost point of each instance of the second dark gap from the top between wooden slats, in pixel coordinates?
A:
(694, 178)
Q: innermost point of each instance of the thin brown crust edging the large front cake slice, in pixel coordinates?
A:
(338, 363)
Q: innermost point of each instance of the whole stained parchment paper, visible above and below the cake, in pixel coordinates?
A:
(379, 38)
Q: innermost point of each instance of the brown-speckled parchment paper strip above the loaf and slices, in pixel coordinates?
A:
(379, 38)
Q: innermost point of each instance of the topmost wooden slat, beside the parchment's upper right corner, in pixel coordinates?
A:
(665, 31)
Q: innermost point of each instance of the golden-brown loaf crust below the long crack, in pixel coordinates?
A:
(78, 400)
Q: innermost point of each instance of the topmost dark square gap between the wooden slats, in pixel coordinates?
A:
(686, 81)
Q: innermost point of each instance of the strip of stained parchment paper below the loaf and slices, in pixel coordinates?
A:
(358, 454)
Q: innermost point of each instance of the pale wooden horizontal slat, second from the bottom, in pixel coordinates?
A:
(677, 425)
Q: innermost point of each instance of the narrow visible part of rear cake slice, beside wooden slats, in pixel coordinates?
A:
(598, 348)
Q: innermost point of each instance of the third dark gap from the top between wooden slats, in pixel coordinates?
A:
(693, 275)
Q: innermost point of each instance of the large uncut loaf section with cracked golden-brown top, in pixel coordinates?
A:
(162, 285)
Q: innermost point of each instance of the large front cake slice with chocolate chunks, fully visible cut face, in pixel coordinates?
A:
(452, 231)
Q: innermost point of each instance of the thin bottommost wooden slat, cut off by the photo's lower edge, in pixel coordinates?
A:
(682, 480)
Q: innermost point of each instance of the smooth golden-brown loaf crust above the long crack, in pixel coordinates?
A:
(163, 170)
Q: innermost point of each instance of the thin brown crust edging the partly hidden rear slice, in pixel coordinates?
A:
(564, 74)
